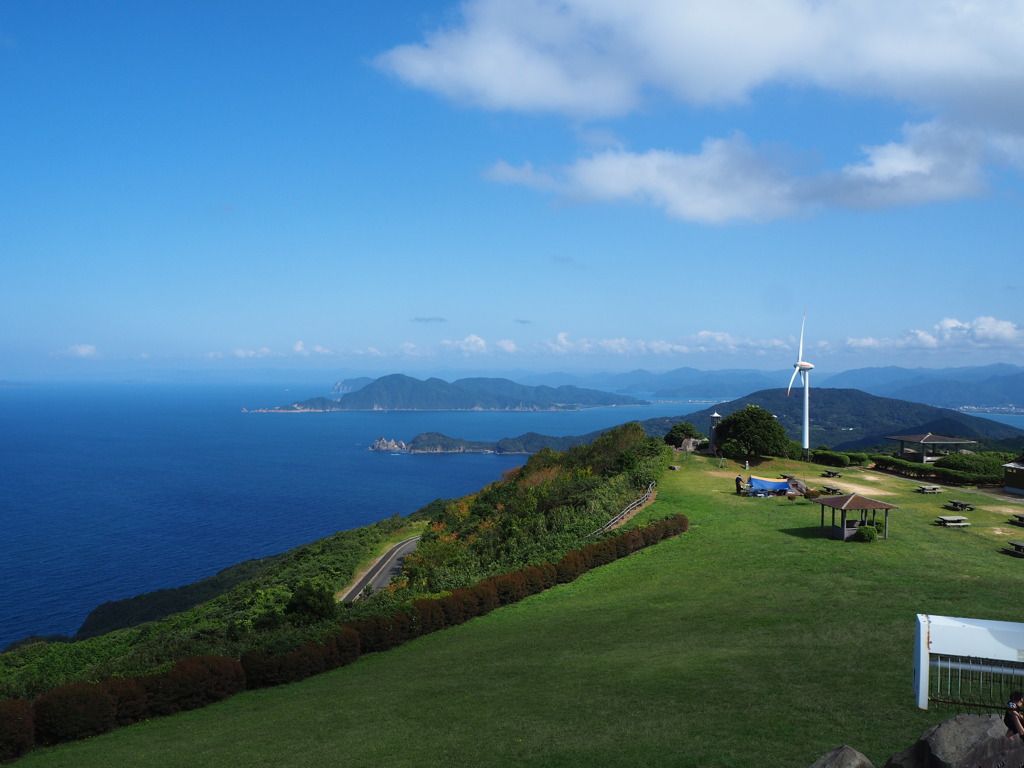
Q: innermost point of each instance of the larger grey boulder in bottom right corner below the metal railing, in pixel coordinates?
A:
(964, 742)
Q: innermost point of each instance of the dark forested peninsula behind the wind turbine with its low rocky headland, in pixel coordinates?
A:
(841, 419)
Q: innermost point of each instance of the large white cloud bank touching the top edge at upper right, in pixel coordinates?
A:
(604, 58)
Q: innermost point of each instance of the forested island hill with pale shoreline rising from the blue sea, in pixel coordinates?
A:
(400, 393)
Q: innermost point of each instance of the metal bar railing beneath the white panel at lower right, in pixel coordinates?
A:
(969, 684)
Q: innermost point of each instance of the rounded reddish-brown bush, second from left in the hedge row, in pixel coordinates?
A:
(73, 712)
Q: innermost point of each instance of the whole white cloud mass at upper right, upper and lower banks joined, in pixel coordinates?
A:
(958, 65)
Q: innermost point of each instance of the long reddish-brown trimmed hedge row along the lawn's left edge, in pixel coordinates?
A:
(83, 710)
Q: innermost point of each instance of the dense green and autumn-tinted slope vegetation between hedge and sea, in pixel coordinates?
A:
(534, 516)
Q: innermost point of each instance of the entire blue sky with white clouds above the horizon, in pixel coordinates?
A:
(505, 186)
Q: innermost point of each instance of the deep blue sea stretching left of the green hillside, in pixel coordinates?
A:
(108, 491)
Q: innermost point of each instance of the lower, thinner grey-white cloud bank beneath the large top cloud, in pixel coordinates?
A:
(731, 180)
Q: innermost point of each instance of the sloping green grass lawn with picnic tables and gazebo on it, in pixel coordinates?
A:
(750, 641)
